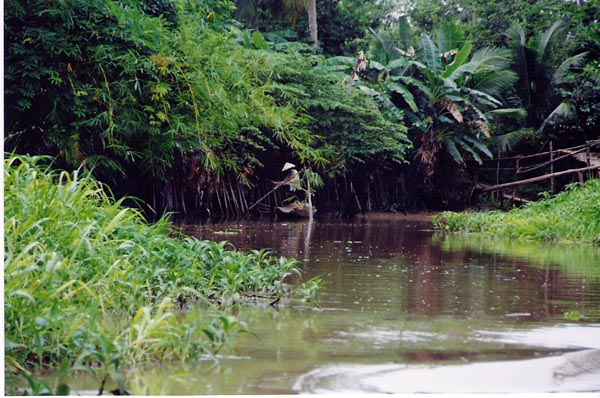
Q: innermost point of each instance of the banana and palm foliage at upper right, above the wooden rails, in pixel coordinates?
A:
(471, 86)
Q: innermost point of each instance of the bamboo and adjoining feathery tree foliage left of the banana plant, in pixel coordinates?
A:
(178, 99)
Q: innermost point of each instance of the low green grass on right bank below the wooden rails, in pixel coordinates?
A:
(570, 216)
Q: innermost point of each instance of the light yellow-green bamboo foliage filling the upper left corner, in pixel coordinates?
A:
(119, 90)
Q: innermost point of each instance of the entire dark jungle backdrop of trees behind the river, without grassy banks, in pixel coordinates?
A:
(193, 106)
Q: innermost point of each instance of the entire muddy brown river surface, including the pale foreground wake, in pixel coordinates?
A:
(405, 310)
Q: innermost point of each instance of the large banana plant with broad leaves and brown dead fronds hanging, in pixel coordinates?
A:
(449, 94)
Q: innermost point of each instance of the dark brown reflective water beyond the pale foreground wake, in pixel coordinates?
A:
(385, 264)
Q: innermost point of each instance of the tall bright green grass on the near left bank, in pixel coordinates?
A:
(89, 284)
